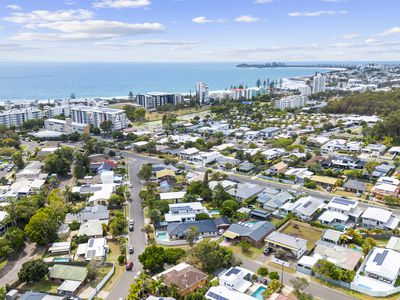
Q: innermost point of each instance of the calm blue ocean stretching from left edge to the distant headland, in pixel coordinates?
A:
(32, 81)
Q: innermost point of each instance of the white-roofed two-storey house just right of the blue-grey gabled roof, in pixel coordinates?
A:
(296, 247)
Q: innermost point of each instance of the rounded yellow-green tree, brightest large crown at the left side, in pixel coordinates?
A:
(42, 227)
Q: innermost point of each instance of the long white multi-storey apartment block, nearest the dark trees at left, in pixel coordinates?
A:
(97, 115)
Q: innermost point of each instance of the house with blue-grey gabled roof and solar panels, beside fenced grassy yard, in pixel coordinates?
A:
(253, 232)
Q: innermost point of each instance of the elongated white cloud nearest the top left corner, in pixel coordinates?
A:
(38, 16)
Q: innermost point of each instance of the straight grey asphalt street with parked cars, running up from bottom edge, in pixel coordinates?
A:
(137, 238)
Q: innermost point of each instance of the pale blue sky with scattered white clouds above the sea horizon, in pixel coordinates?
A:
(199, 30)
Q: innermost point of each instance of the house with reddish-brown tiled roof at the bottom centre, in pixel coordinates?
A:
(187, 278)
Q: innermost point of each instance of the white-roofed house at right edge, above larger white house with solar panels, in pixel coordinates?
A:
(374, 217)
